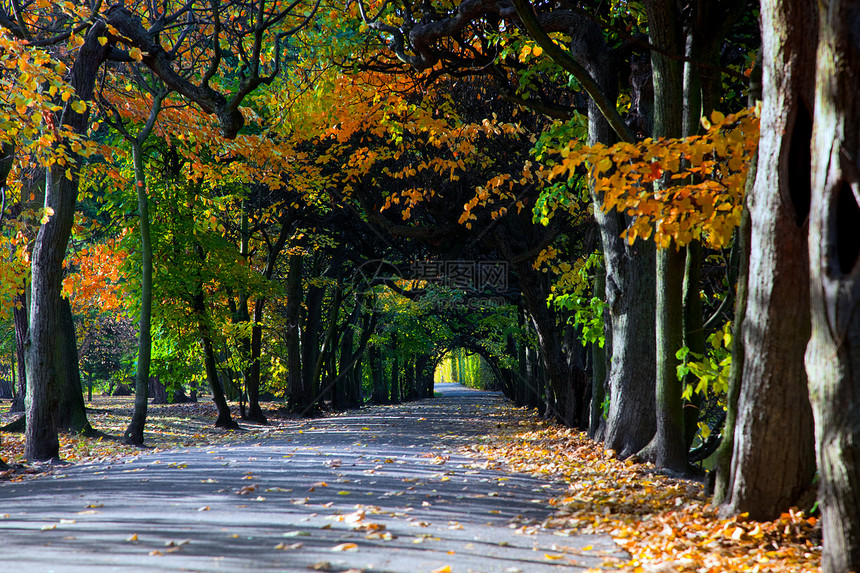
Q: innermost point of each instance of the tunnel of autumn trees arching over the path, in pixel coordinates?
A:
(317, 203)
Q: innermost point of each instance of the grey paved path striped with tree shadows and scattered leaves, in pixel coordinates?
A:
(380, 490)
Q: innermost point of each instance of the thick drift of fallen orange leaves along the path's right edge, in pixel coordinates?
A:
(666, 525)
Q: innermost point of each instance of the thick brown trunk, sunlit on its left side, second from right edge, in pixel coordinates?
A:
(772, 452)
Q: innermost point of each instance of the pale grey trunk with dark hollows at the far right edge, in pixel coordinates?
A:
(833, 355)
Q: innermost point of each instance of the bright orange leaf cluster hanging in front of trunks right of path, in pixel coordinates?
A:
(703, 179)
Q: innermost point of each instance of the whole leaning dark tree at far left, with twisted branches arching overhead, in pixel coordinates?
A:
(118, 33)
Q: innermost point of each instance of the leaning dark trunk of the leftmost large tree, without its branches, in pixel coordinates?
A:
(49, 250)
